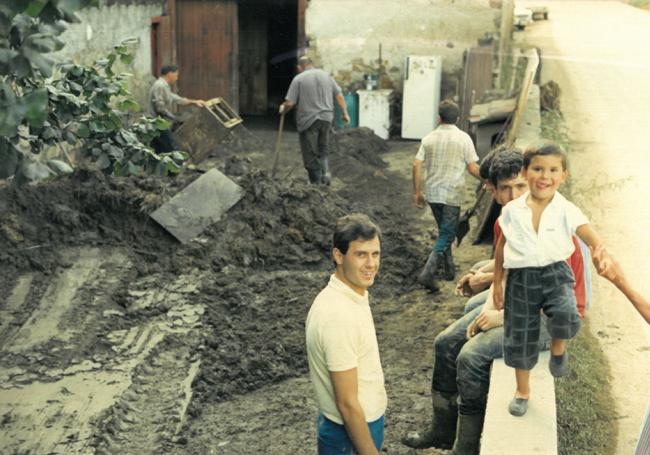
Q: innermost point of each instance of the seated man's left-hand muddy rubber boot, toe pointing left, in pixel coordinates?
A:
(441, 432)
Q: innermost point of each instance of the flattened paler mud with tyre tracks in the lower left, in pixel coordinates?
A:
(95, 375)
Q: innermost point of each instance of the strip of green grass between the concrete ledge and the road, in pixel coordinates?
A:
(585, 406)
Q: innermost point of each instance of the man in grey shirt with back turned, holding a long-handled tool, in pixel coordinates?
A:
(314, 92)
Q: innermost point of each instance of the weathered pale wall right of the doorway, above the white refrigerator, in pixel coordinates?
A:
(344, 35)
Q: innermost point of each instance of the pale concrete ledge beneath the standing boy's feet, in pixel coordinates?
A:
(535, 432)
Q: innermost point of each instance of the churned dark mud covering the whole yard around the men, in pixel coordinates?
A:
(115, 339)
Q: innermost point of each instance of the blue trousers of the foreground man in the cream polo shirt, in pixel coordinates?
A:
(333, 439)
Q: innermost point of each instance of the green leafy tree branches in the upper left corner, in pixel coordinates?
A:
(86, 105)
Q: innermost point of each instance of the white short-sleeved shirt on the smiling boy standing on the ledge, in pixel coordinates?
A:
(553, 240)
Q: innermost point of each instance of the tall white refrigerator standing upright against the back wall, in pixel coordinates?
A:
(421, 95)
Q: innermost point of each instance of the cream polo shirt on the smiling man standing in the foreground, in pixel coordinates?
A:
(340, 335)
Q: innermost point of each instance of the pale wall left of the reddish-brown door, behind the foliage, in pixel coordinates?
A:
(104, 27)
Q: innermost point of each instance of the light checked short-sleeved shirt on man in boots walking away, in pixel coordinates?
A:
(446, 152)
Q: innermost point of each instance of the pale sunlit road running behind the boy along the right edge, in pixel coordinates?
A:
(599, 52)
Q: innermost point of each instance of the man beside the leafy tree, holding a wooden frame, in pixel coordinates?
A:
(162, 102)
